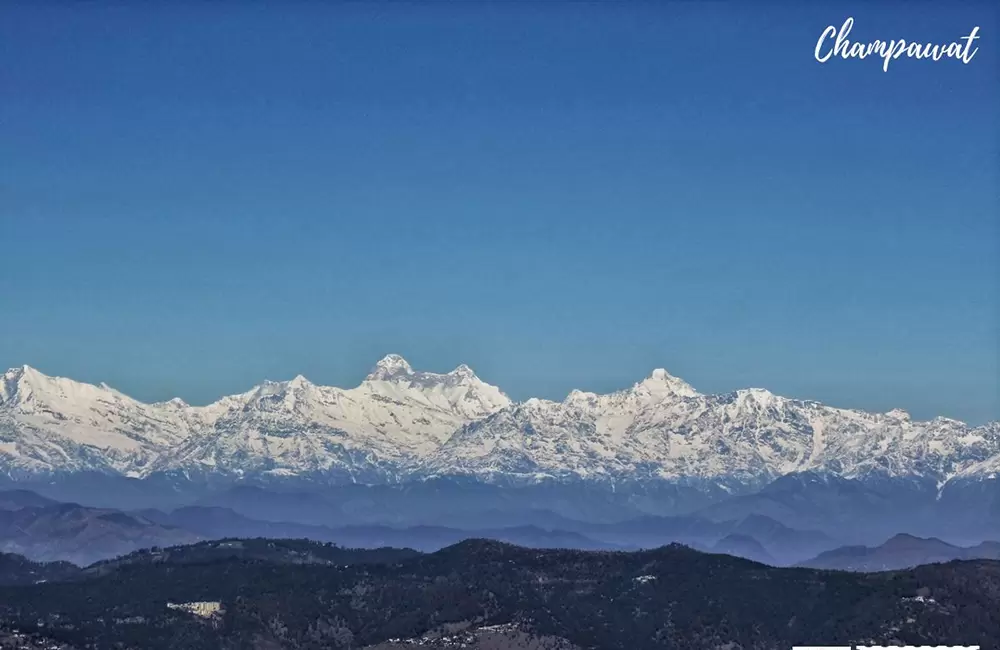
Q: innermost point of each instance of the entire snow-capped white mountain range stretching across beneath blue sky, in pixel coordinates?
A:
(400, 424)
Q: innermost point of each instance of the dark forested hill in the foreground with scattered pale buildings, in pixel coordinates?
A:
(672, 597)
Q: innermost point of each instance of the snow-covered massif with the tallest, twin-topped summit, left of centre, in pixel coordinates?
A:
(295, 427)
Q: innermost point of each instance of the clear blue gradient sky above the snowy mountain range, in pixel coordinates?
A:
(196, 197)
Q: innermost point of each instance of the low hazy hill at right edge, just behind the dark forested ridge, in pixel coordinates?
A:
(900, 552)
